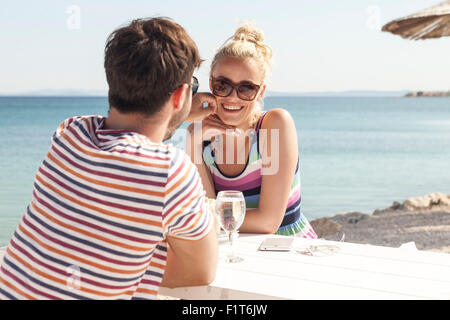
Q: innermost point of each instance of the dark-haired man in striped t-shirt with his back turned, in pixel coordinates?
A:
(115, 213)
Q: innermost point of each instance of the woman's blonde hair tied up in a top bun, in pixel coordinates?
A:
(248, 42)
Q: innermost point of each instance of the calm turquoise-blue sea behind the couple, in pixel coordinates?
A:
(356, 153)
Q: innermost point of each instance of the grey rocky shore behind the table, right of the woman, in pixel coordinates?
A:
(422, 220)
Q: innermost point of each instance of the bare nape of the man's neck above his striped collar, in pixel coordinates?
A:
(153, 128)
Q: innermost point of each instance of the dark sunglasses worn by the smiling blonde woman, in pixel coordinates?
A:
(223, 88)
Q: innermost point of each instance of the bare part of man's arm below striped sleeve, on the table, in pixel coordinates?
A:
(191, 262)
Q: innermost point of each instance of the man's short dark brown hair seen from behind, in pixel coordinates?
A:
(145, 62)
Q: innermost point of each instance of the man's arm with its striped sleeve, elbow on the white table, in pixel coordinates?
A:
(192, 251)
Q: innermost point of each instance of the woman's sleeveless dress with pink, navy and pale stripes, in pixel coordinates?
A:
(249, 182)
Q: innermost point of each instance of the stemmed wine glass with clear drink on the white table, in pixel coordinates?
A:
(230, 209)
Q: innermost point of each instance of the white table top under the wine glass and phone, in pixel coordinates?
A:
(355, 271)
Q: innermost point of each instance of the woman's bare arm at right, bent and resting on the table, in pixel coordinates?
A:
(279, 154)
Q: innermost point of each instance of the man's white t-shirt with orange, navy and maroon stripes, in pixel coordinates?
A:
(103, 202)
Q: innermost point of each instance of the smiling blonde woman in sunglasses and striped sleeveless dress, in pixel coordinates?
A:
(243, 148)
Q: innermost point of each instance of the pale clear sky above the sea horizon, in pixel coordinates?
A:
(319, 45)
